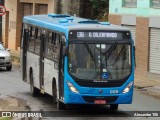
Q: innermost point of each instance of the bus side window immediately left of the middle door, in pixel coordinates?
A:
(38, 40)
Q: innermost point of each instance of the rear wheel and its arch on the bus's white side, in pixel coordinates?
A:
(34, 91)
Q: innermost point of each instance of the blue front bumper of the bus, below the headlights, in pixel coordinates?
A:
(73, 98)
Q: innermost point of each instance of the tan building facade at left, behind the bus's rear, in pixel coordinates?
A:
(12, 20)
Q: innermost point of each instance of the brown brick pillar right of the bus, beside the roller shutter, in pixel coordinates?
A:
(142, 46)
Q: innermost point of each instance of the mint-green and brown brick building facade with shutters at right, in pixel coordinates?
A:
(142, 17)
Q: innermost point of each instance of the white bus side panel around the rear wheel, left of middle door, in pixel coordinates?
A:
(33, 62)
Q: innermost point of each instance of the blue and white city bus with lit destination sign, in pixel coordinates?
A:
(77, 61)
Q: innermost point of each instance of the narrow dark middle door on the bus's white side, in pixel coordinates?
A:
(41, 61)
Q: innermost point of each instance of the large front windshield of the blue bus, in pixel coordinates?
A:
(110, 61)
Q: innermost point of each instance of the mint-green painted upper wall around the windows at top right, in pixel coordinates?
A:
(143, 9)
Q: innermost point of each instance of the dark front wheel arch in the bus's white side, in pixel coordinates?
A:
(54, 91)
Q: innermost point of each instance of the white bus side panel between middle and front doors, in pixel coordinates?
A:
(50, 73)
